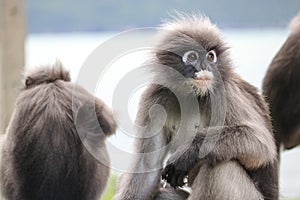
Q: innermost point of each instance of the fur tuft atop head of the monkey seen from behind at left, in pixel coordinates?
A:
(47, 74)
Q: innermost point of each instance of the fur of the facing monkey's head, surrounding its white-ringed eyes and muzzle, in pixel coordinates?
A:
(184, 33)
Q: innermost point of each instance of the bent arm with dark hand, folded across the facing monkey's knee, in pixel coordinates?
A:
(219, 144)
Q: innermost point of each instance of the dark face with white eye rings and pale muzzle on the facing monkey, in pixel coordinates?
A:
(199, 66)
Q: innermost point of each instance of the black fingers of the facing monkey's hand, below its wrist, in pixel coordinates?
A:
(174, 176)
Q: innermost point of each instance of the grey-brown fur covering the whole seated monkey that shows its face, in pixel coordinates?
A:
(233, 109)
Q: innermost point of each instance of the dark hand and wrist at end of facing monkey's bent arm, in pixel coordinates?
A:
(179, 165)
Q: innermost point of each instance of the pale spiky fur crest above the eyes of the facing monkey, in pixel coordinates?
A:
(183, 30)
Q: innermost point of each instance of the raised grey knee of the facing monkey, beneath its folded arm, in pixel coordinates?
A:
(225, 181)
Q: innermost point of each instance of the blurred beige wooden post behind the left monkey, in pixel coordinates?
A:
(12, 55)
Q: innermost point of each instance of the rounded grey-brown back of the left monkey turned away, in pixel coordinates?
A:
(43, 156)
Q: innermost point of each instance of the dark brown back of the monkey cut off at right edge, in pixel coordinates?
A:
(281, 89)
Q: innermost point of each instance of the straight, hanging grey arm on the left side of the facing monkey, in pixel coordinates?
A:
(142, 181)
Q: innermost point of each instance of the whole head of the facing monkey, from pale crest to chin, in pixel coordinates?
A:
(194, 48)
